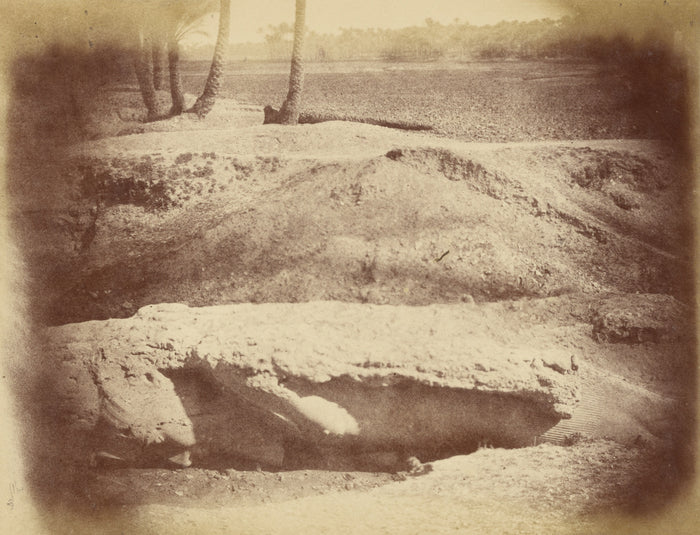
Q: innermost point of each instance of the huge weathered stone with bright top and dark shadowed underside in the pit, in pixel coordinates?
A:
(294, 384)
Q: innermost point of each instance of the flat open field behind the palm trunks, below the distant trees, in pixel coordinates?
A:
(476, 101)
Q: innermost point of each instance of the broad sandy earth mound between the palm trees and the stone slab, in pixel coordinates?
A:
(339, 211)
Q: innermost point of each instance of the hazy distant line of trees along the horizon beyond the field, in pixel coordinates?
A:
(538, 39)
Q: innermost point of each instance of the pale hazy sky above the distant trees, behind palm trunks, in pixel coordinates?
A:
(327, 16)
